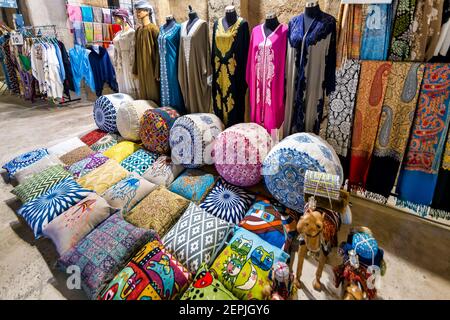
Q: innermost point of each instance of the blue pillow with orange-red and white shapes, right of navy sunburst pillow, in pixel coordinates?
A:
(264, 219)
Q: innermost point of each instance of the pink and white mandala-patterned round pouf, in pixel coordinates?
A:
(239, 152)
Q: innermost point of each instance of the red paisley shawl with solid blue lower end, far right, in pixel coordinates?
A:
(418, 178)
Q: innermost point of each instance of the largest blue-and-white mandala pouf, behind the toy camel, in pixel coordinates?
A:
(285, 167)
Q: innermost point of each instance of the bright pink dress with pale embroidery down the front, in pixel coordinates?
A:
(265, 76)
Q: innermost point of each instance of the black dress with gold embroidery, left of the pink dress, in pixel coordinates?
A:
(229, 60)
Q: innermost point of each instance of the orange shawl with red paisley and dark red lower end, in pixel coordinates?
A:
(369, 101)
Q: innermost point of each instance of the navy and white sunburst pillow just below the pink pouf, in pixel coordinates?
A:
(228, 202)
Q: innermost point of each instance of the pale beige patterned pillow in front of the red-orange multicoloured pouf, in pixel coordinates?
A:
(163, 172)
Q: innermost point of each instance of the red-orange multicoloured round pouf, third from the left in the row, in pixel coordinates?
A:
(155, 129)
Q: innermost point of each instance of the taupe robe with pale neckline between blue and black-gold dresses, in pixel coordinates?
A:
(194, 67)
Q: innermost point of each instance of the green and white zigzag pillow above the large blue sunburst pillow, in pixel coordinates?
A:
(40, 183)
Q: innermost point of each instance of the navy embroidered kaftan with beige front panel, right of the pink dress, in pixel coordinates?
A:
(316, 66)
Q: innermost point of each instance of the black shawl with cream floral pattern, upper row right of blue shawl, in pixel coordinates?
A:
(402, 34)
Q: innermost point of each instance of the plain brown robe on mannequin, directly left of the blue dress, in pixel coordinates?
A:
(146, 64)
